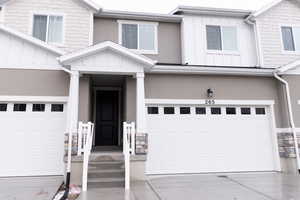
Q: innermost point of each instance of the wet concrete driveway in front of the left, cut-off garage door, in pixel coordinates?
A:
(29, 188)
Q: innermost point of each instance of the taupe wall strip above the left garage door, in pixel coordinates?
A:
(33, 82)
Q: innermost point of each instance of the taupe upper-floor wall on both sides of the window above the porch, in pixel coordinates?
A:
(169, 42)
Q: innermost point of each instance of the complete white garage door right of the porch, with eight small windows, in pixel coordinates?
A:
(203, 139)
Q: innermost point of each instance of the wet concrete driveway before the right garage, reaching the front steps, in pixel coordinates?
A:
(259, 186)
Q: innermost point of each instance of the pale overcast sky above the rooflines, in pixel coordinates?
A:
(165, 6)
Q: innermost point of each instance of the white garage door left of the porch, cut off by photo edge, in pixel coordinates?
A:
(32, 139)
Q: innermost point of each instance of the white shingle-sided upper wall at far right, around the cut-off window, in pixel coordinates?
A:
(284, 14)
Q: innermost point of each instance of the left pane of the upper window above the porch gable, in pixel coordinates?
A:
(129, 36)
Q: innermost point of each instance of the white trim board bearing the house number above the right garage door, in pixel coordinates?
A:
(204, 102)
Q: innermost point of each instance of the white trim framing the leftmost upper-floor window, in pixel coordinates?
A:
(48, 14)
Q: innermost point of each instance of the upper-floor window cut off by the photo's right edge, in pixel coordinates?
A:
(291, 38)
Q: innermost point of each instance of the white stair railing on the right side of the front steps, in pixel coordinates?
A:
(128, 148)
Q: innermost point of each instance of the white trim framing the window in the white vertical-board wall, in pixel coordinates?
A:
(210, 51)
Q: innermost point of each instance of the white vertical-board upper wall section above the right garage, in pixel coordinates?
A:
(195, 43)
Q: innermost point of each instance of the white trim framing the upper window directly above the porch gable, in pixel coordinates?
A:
(141, 51)
